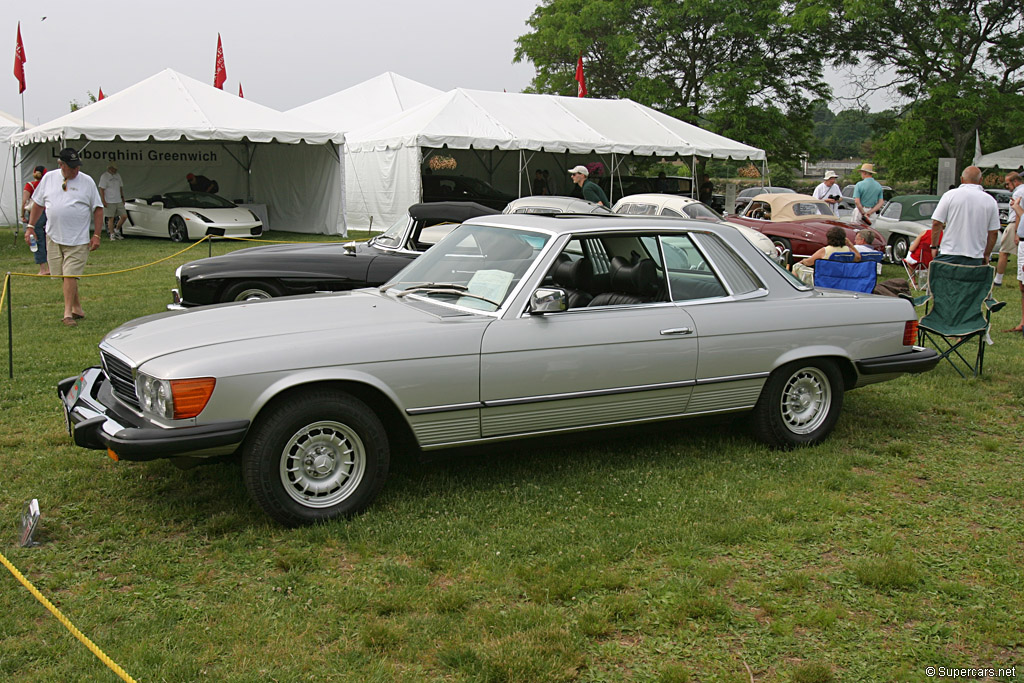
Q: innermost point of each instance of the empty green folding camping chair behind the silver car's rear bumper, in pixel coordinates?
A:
(959, 306)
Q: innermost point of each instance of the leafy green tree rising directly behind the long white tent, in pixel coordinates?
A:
(744, 71)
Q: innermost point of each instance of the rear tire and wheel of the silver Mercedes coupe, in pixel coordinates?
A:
(800, 404)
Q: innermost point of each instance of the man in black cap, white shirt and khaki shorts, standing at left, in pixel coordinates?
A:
(71, 201)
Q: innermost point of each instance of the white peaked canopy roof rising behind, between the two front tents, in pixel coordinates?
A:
(367, 103)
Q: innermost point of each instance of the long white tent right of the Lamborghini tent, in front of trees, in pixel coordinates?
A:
(527, 131)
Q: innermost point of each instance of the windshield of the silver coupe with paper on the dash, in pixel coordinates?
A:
(476, 267)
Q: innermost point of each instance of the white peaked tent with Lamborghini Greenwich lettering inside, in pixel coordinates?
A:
(169, 125)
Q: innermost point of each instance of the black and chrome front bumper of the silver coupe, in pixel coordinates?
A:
(97, 420)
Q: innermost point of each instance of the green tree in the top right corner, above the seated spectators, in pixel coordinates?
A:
(960, 64)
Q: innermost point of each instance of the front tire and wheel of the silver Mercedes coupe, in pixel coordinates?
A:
(320, 455)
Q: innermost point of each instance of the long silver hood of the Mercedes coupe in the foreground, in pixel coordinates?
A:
(345, 328)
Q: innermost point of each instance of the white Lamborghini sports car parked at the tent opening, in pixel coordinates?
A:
(188, 217)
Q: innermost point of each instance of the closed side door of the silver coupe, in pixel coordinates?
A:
(592, 366)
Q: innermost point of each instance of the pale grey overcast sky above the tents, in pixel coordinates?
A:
(285, 54)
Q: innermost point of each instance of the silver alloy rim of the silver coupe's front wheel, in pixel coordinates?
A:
(323, 464)
